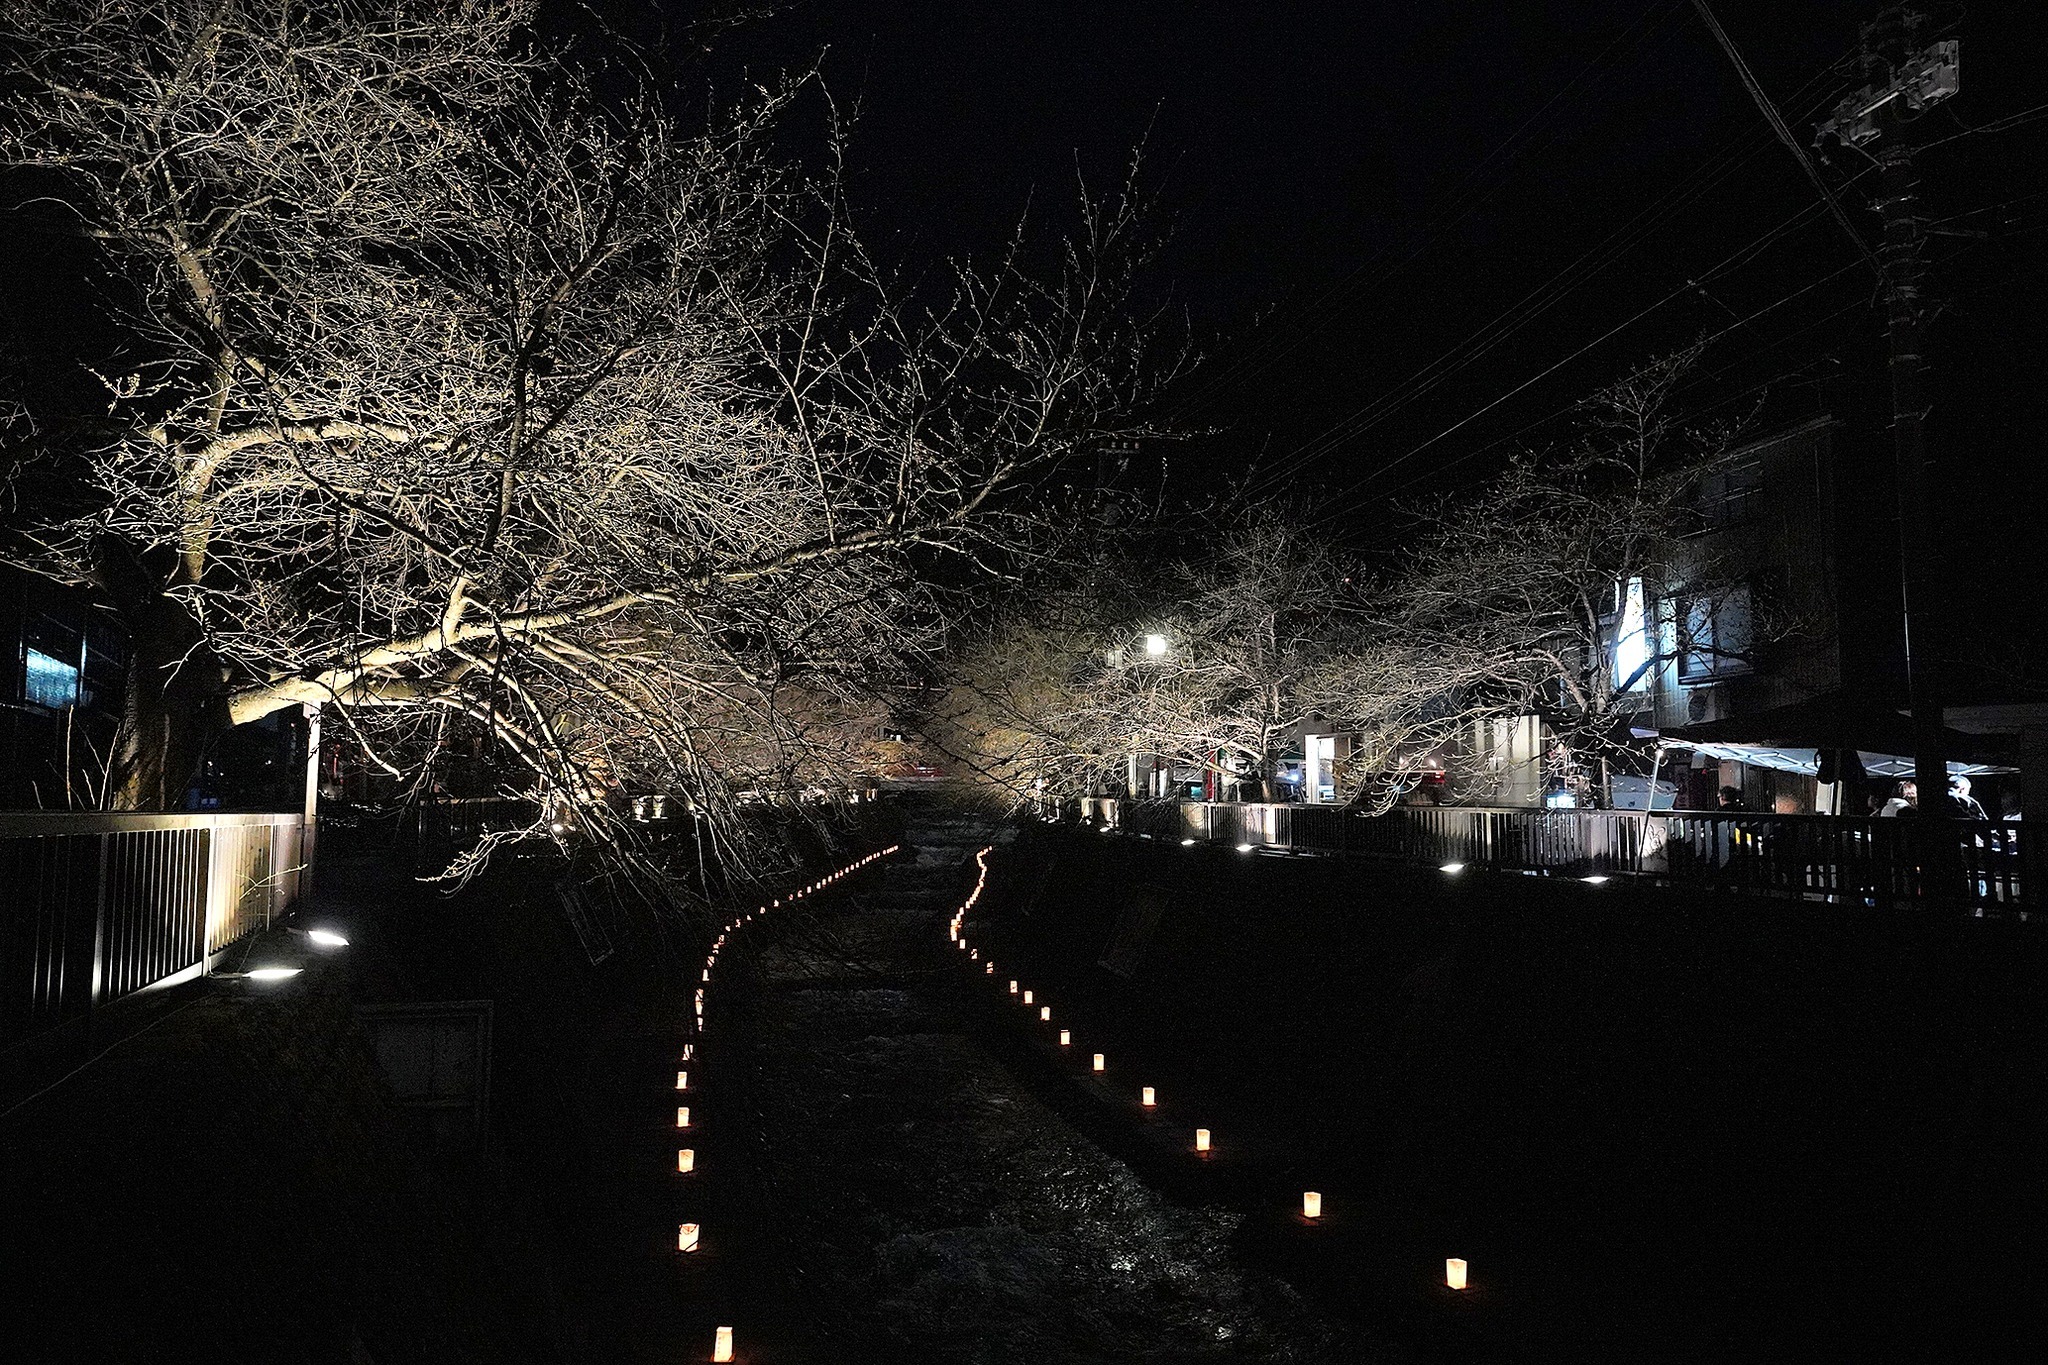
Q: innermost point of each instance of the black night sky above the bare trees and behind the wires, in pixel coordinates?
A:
(1404, 230)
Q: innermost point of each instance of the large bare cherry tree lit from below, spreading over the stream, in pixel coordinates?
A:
(464, 402)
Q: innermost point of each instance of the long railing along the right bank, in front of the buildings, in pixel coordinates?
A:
(1809, 856)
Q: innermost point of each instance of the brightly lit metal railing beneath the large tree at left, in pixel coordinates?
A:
(99, 908)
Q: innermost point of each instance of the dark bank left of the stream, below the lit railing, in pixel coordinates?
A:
(234, 1184)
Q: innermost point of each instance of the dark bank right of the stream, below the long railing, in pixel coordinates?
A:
(1658, 1127)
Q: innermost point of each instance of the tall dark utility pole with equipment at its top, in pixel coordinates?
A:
(1906, 79)
